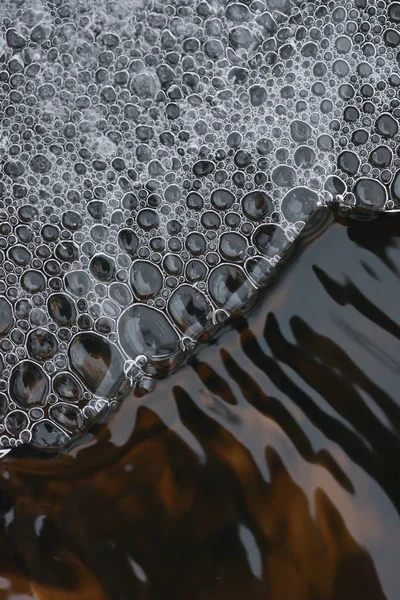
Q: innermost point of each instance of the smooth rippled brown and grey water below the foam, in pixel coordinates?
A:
(266, 469)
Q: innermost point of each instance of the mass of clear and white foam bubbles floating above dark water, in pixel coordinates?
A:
(158, 157)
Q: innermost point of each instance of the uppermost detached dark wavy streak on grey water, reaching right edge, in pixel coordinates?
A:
(348, 293)
